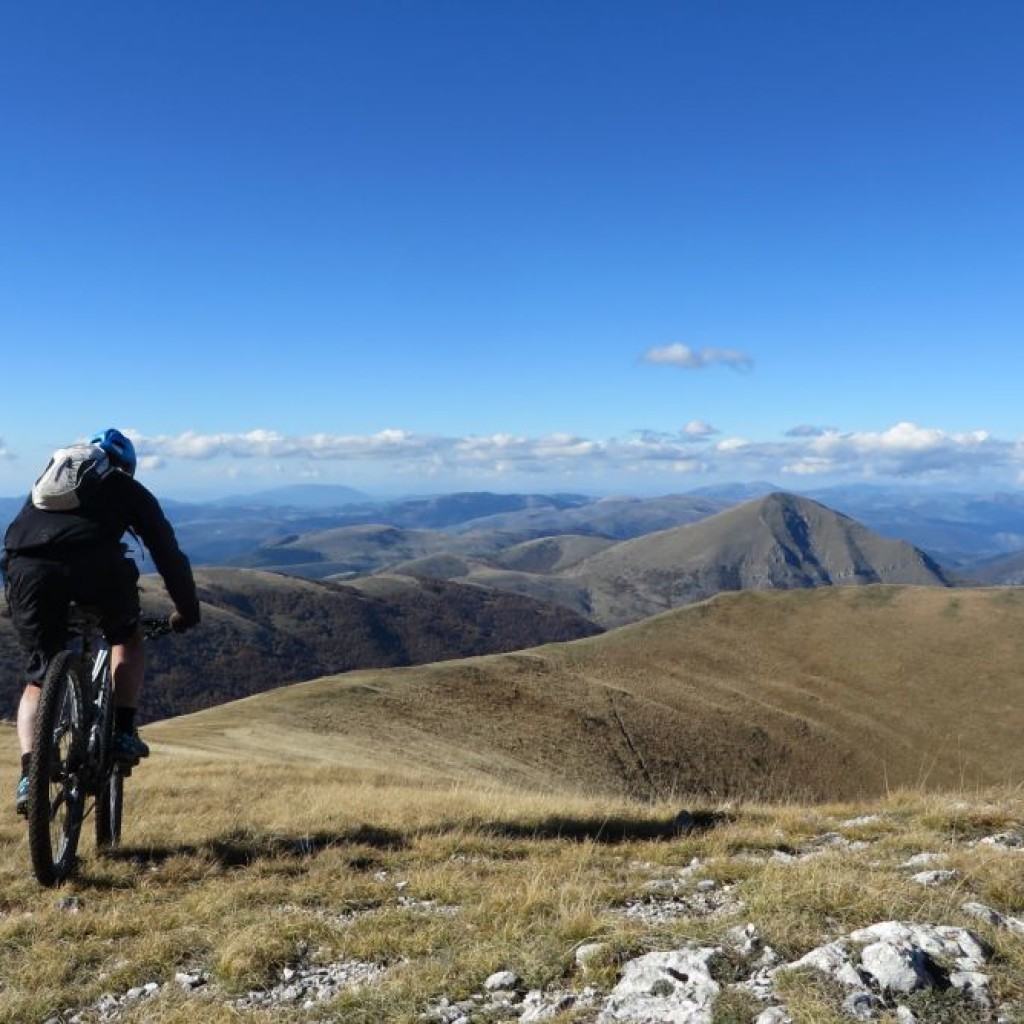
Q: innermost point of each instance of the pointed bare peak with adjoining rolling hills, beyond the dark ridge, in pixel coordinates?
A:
(777, 542)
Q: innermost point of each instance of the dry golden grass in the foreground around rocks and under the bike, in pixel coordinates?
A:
(242, 869)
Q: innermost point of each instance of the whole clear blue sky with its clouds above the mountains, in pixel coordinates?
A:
(561, 246)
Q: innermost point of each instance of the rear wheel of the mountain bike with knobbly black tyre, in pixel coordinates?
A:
(57, 797)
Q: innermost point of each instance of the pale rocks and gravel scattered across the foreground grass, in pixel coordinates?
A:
(887, 971)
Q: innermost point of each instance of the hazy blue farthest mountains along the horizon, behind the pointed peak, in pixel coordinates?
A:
(958, 530)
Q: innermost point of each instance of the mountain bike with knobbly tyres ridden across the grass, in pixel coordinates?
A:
(73, 773)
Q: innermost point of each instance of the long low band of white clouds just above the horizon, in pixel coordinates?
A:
(905, 451)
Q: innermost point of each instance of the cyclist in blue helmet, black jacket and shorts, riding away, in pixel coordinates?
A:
(52, 559)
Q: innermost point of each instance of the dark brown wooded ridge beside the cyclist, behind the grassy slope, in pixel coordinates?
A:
(263, 630)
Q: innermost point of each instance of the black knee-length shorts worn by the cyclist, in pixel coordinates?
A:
(40, 591)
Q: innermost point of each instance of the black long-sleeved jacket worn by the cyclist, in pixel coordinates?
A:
(120, 505)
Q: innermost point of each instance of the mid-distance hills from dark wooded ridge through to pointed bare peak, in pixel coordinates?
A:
(412, 598)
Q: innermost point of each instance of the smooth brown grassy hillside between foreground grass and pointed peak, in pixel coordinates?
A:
(829, 694)
